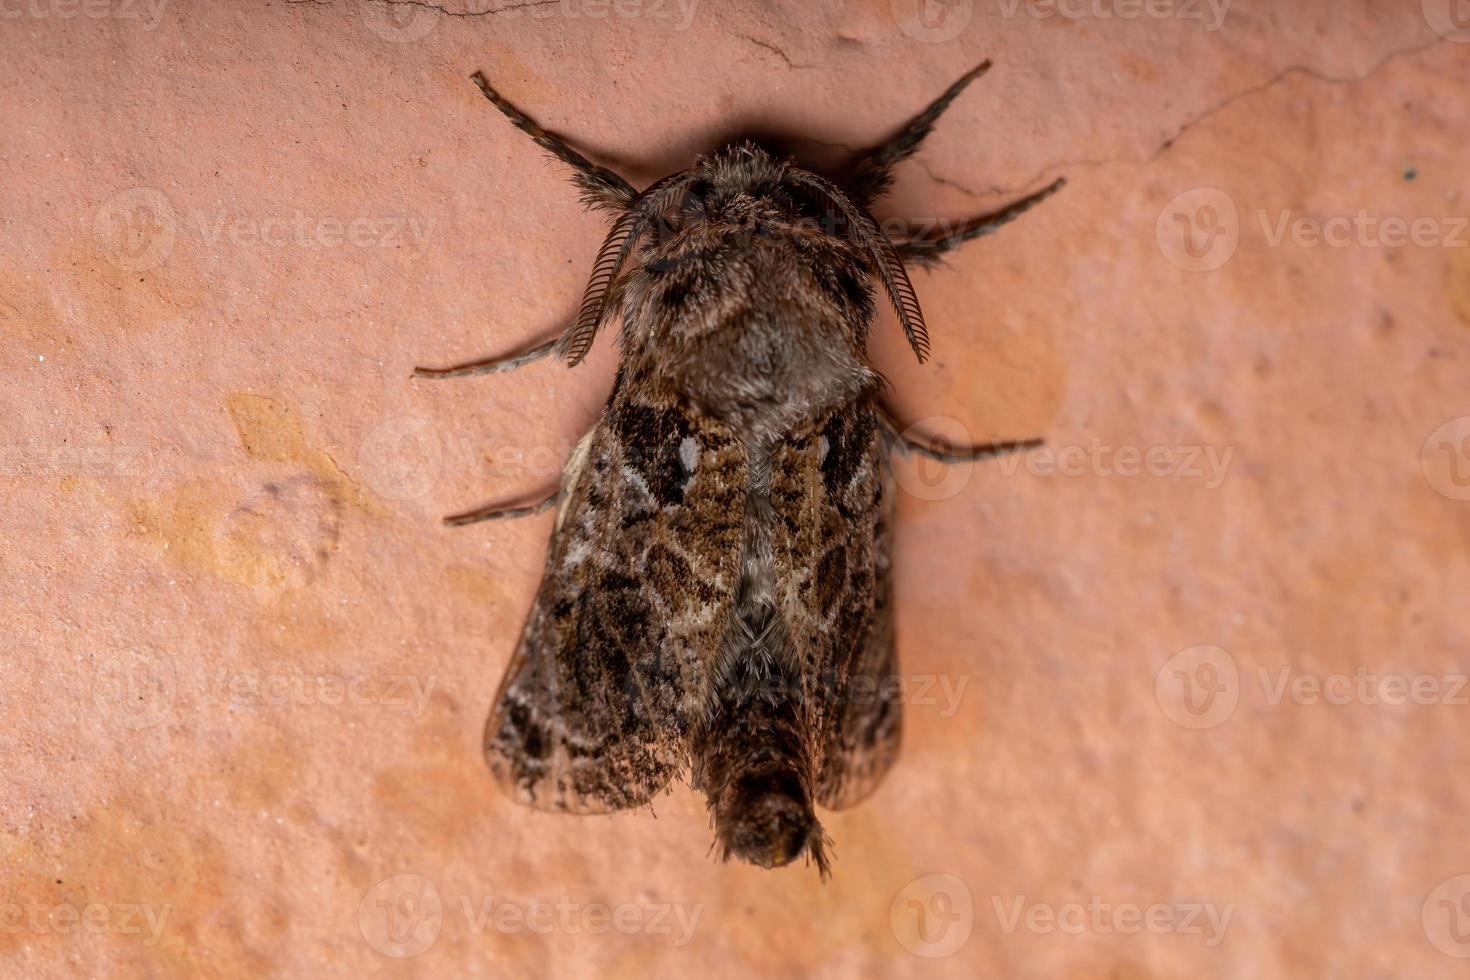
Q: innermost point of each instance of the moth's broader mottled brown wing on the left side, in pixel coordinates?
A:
(595, 710)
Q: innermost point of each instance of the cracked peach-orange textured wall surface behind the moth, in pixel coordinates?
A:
(1186, 694)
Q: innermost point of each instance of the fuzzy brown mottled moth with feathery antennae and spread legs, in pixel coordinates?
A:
(718, 602)
